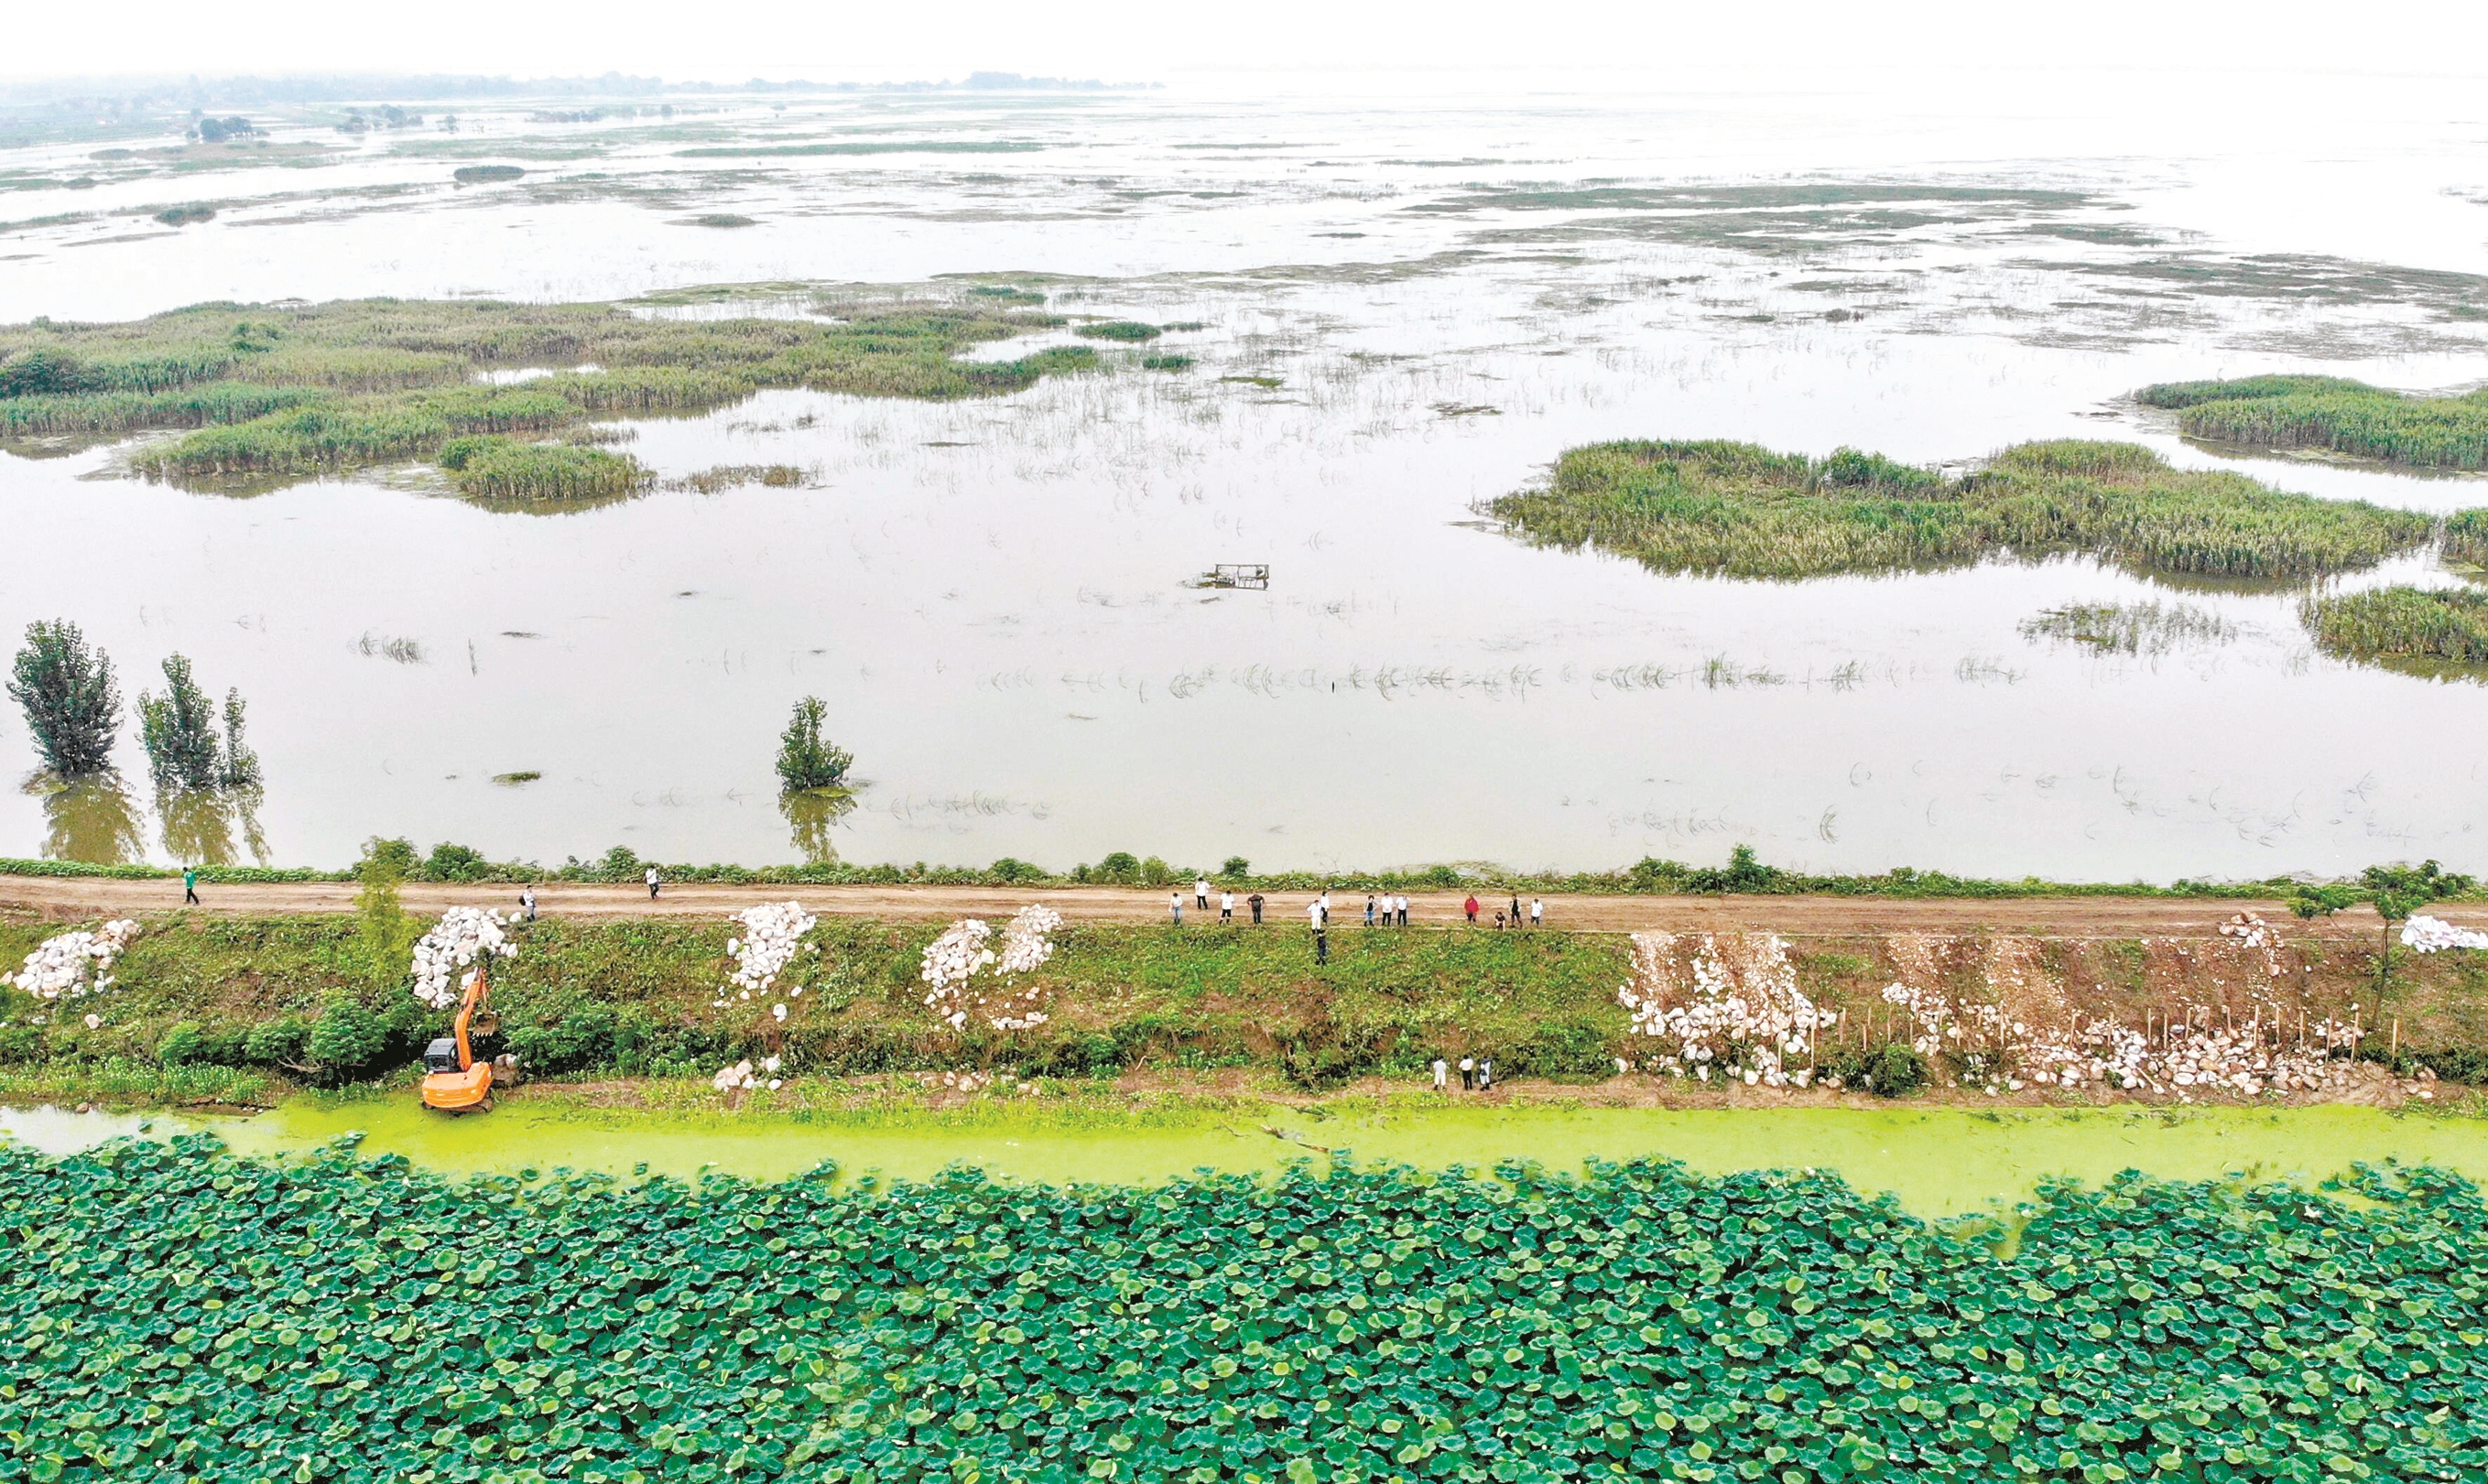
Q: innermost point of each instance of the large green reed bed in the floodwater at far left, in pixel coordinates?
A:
(277, 392)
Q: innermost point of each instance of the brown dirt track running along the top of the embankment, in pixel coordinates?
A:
(81, 899)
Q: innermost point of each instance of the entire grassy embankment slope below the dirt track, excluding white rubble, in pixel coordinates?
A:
(325, 1001)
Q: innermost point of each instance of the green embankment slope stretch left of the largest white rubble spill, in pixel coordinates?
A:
(641, 998)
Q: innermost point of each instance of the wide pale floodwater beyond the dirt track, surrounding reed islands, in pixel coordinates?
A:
(994, 595)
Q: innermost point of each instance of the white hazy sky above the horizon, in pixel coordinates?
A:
(1161, 41)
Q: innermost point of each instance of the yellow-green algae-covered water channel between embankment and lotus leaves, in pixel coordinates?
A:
(1939, 1162)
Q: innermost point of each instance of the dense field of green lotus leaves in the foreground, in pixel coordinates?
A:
(180, 1314)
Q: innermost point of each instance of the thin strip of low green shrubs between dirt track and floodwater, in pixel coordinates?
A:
(1648, 876)
